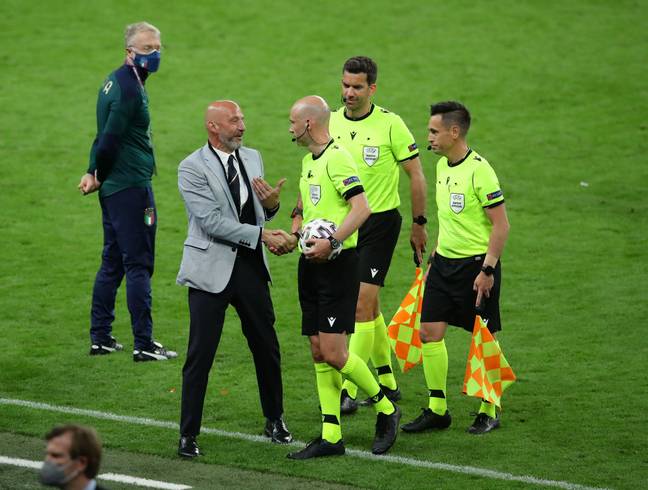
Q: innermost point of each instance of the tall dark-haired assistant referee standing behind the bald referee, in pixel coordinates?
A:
(381, 144)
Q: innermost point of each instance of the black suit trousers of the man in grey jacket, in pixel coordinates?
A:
(248, 292)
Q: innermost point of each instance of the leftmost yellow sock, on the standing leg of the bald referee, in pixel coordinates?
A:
(329, 385)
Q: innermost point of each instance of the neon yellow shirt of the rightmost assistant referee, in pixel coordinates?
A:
(463, 190)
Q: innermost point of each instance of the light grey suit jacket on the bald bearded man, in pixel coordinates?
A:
(215, 232)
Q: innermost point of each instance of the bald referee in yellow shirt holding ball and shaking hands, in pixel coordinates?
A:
(328, 279)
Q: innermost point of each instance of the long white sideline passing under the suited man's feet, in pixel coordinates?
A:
(418, 463)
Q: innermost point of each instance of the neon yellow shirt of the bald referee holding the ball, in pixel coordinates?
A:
(327, 182)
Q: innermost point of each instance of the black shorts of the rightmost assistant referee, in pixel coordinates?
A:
(449, 295)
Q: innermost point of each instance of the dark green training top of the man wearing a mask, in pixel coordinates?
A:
(122, 152)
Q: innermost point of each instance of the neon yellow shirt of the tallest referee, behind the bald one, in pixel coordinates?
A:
(378, 142)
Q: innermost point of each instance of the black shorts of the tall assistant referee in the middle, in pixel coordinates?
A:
(377, 238)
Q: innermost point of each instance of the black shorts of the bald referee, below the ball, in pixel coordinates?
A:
(328, 292)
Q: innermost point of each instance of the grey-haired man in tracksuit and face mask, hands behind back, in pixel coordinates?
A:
(121, 166)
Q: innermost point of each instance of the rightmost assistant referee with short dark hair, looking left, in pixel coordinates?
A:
(465, 267)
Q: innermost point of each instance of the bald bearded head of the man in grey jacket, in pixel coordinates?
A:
(224, 124)
